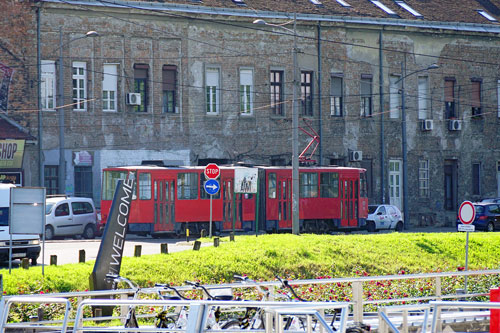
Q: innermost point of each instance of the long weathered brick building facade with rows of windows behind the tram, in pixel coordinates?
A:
(188, 82)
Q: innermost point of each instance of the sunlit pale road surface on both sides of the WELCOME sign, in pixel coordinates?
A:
(67, 250)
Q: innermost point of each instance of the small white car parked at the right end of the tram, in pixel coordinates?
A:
(384, 217)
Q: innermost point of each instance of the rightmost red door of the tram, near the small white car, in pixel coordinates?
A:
(349, 202)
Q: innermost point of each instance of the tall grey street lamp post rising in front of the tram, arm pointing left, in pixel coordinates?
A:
(295, 124)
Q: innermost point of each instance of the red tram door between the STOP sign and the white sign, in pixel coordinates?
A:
(231, 206)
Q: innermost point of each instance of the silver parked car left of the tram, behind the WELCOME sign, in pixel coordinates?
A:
(70, 216)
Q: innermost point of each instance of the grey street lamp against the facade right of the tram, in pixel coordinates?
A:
(403, 136)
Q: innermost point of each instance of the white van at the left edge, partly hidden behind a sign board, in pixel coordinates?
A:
(23, 246)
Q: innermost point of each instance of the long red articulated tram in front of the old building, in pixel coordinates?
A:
(171, 199)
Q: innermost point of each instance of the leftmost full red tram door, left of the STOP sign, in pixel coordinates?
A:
(164, 212)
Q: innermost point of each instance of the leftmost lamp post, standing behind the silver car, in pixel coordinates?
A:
(62, 160)
